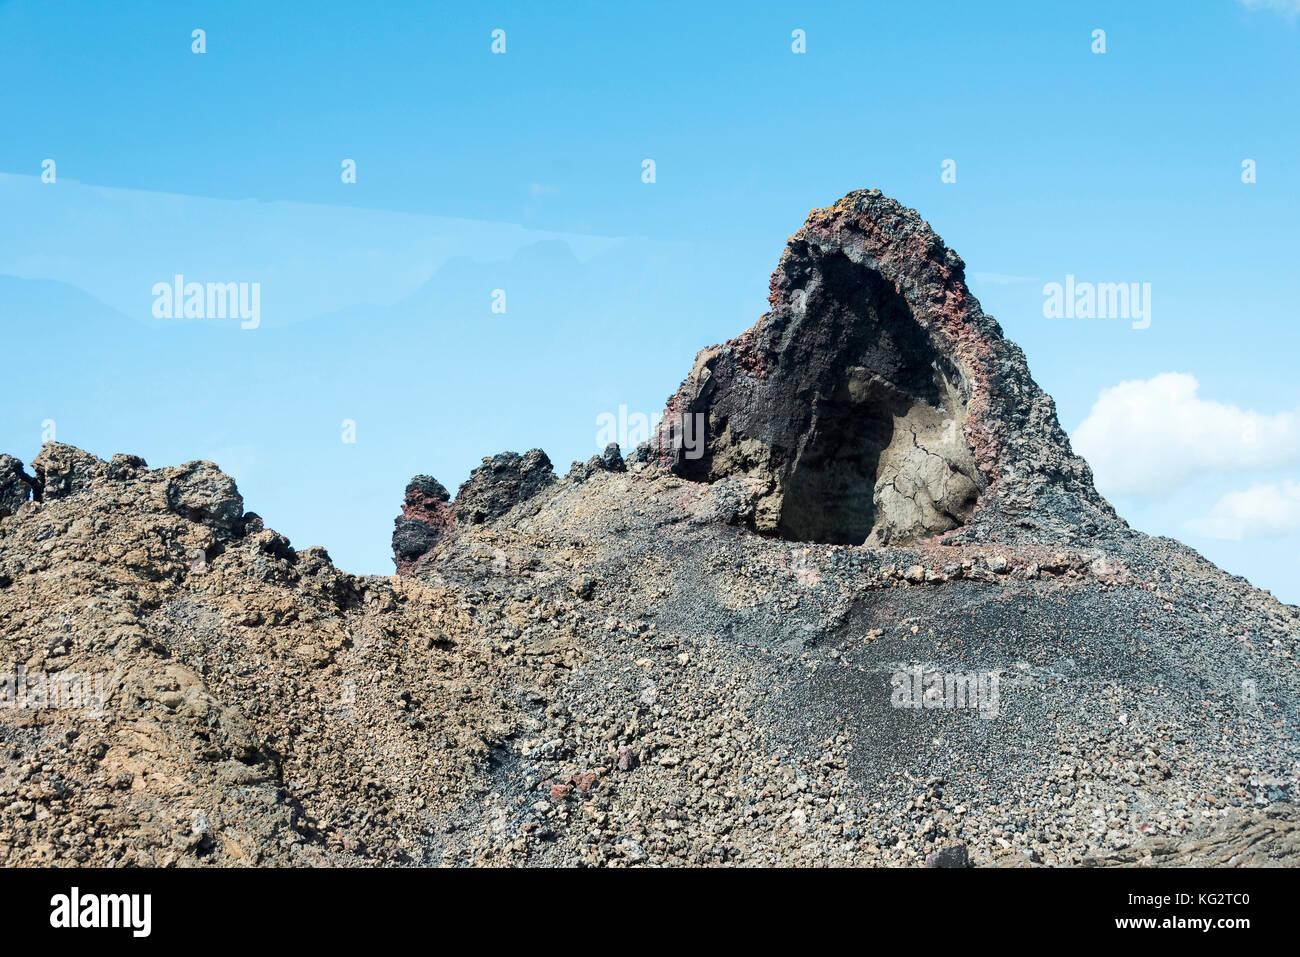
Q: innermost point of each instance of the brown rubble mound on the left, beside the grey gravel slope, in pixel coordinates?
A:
(258, 707)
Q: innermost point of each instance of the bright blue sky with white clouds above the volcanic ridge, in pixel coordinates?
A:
(523, 172)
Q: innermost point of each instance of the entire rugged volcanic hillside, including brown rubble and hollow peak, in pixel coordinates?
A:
(661, 660)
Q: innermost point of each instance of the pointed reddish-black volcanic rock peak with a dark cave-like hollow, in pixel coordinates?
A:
(877, 404)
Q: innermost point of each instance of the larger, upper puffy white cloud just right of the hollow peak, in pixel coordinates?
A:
(1146, 436)
